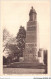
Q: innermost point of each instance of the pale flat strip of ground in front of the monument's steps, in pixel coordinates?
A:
(22, 71)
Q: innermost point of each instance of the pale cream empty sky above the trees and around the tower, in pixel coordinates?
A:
(15, 13)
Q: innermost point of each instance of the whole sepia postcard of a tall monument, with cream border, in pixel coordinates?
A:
(26, 36)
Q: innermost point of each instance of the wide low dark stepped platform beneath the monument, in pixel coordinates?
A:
(26, 65)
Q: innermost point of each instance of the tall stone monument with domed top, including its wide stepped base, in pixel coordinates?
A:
(31, 55)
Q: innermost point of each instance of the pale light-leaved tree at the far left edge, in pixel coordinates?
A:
(7, 52)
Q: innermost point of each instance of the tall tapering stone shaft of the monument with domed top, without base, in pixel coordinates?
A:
(30, 53)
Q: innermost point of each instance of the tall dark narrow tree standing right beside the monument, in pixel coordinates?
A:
(21, 41)
